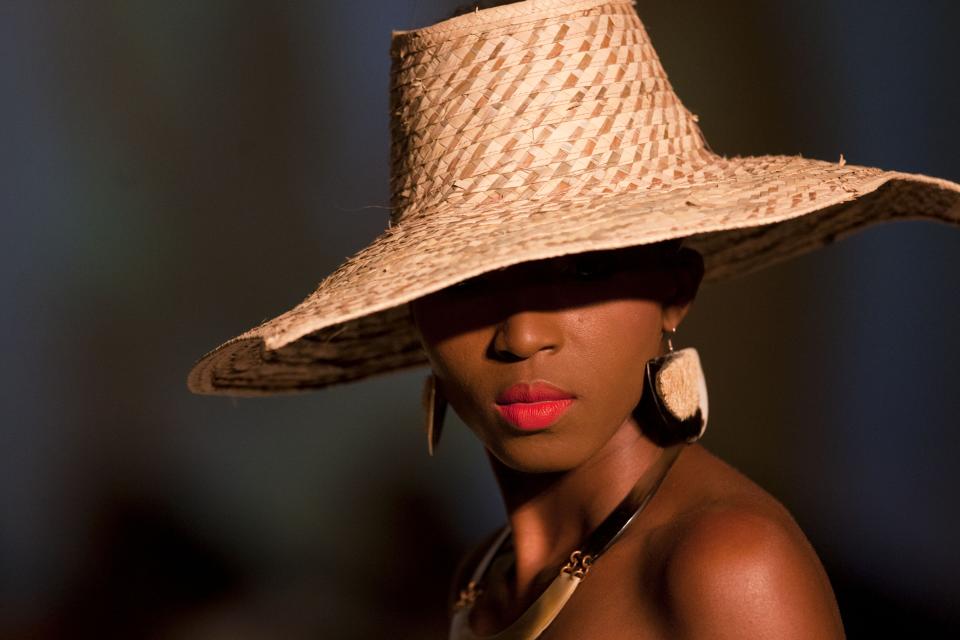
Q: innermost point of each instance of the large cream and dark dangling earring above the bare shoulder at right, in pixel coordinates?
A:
(674, 404)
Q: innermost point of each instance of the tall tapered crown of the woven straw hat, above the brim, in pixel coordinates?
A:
(534, 100)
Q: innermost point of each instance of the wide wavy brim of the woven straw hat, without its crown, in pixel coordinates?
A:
(751, 212)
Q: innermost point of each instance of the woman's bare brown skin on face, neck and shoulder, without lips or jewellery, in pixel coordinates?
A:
(712, 556)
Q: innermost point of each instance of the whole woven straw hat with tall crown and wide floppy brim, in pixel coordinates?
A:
(534, 130)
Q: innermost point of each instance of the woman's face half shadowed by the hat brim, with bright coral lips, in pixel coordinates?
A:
(544, 361)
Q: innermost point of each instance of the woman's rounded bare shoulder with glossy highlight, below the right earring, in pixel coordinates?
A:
(738, 566)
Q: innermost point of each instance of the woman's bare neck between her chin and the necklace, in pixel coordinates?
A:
(551, 514)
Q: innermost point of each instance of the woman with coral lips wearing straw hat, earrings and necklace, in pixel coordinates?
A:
(543, 174)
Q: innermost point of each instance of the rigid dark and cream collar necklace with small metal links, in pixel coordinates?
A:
(542, 612)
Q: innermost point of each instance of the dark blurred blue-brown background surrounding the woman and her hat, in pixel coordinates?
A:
(172, 173)
